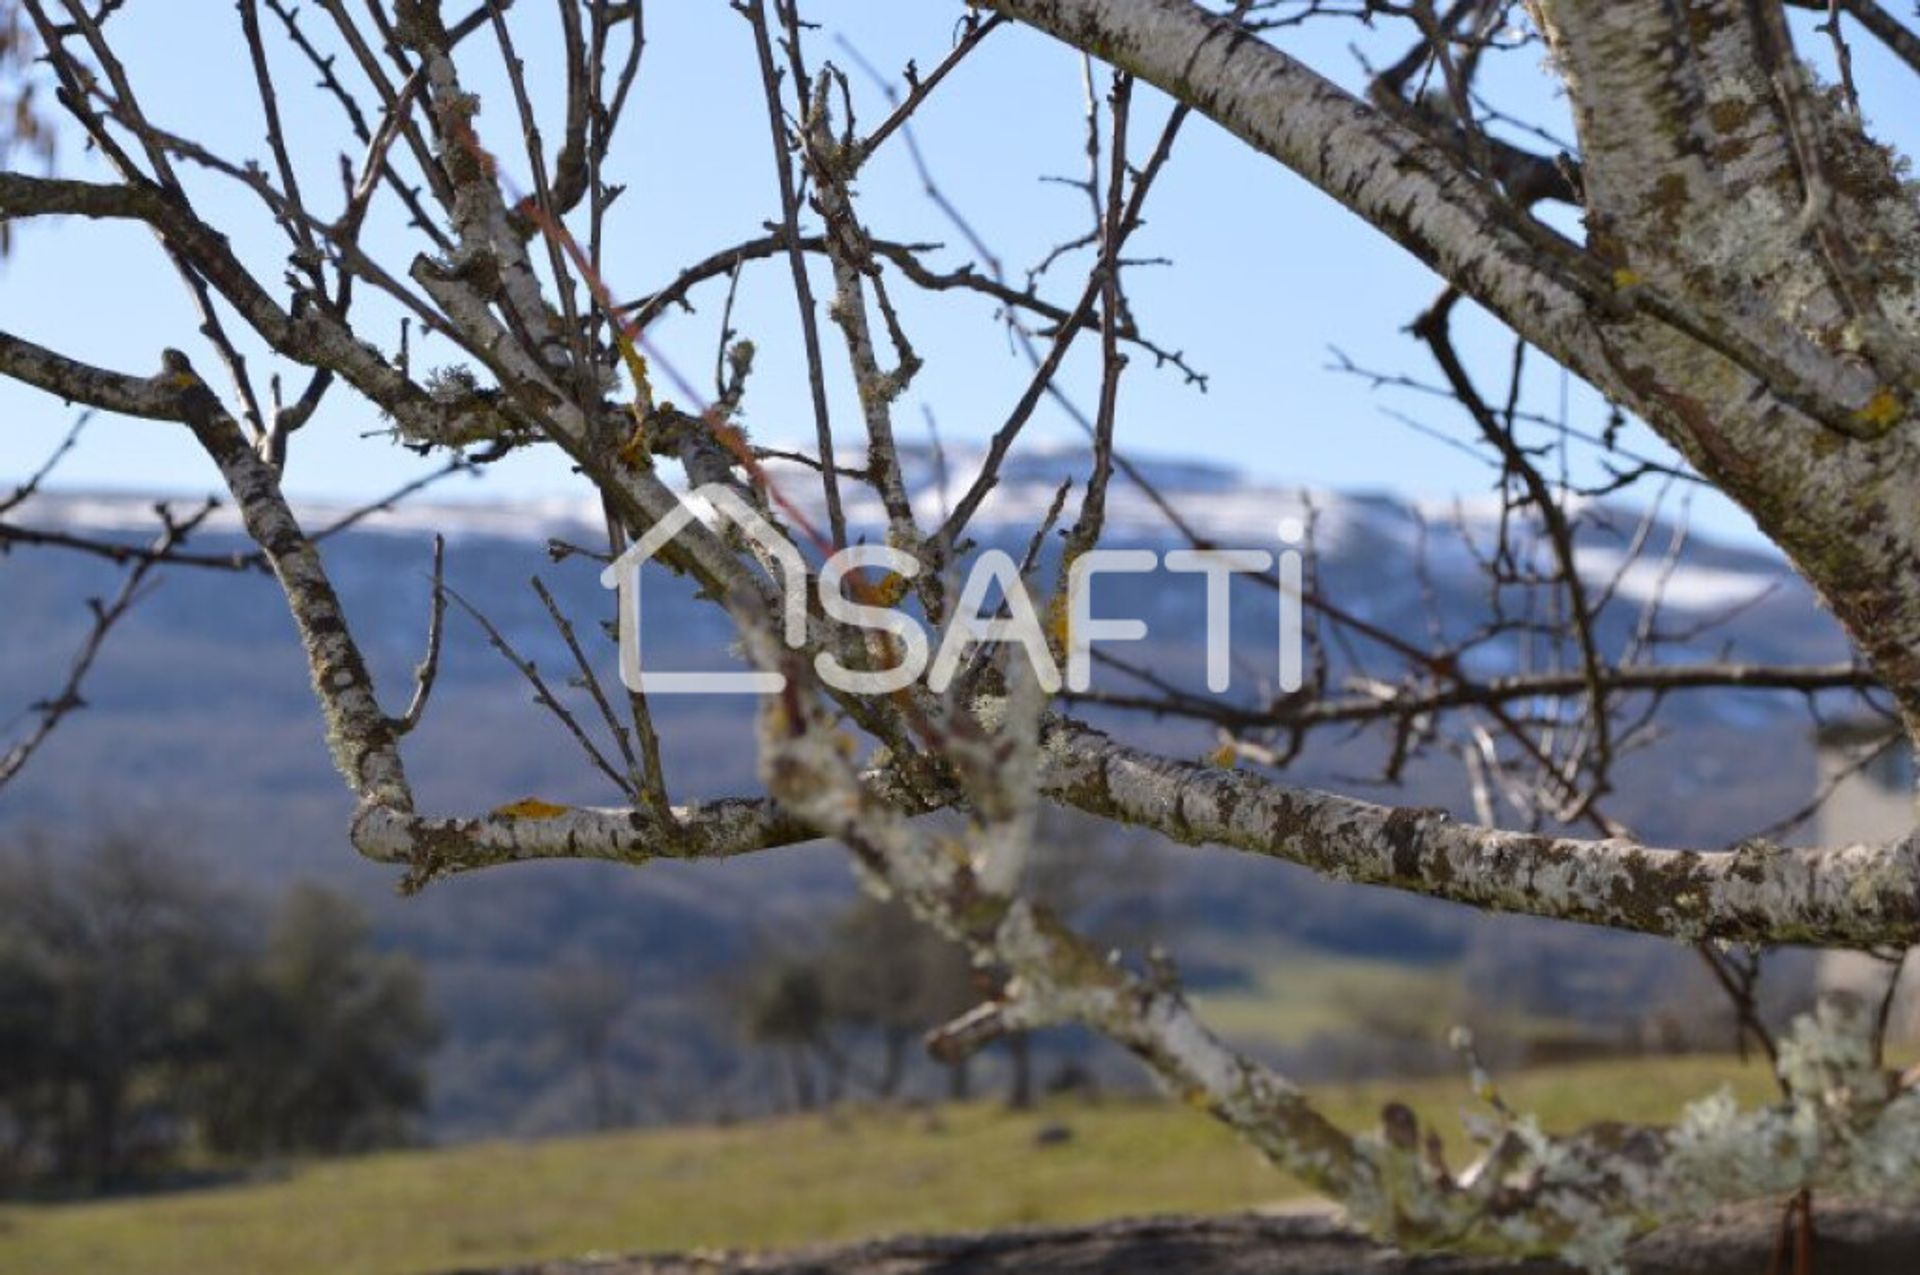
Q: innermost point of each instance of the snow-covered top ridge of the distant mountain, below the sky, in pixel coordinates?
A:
(1214, 502)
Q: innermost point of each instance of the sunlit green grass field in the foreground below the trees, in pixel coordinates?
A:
(775, 1184)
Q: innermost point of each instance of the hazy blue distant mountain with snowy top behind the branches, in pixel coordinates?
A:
(201, 729)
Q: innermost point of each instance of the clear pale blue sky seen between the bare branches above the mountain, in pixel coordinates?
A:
(1268, 276)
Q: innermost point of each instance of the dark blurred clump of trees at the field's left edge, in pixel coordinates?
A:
(143, 1013)
